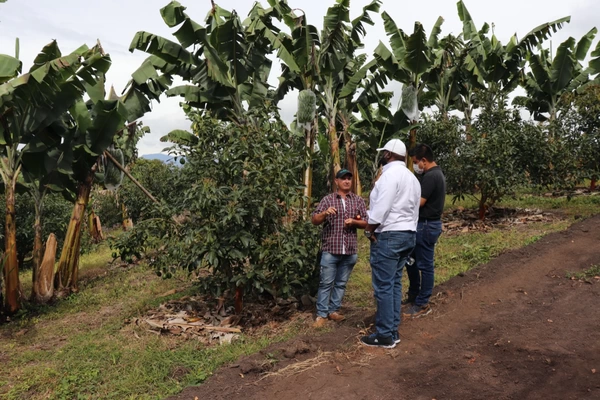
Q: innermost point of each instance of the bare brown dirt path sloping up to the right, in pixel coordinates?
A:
(515, 328)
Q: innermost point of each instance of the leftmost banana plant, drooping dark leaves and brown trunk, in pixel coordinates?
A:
(30, 105)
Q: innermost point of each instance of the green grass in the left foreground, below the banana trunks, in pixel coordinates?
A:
(82, 346)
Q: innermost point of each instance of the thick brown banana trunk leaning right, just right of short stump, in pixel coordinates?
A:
(66, 275)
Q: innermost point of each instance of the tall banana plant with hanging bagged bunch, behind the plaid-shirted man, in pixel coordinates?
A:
(330, 64)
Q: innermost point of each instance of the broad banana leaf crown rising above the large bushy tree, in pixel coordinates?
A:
(223, 63)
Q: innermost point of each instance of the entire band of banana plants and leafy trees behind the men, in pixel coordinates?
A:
(234, 214)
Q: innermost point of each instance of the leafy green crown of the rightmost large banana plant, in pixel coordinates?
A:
(550, 78)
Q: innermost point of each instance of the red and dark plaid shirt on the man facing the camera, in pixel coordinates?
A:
(337, 239)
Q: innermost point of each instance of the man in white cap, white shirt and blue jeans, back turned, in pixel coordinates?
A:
(393, 215)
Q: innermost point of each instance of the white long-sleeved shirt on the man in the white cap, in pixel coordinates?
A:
(395, 199)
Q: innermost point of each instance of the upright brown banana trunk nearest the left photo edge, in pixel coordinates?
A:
(11, 264)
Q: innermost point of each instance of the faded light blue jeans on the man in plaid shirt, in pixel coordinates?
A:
(335, 271)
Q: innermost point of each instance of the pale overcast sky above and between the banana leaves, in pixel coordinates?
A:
(75, 22)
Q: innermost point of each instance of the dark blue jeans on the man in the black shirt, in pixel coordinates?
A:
(421, 273)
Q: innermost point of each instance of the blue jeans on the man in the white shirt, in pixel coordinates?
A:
(388, 256)
